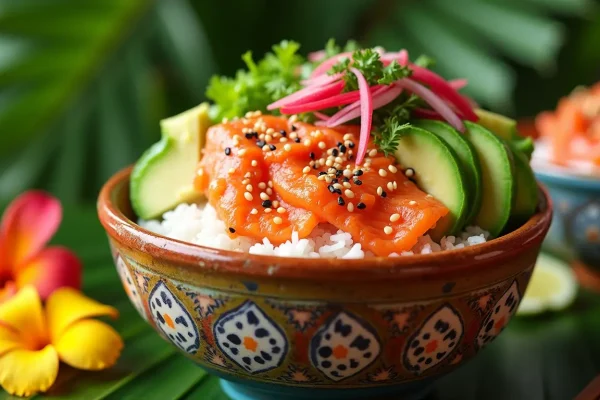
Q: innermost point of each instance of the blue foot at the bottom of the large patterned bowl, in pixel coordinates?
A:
(256, 391)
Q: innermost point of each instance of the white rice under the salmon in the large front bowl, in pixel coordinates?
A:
(199, 224)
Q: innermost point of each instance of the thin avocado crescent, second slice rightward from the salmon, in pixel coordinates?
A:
(467, 157)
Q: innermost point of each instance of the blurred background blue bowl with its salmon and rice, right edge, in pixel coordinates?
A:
(567, 161)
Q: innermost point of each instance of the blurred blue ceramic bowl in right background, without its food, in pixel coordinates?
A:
(575, 230)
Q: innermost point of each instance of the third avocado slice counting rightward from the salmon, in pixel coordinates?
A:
(498, 178)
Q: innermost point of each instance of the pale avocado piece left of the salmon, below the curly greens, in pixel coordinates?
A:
(163, 177)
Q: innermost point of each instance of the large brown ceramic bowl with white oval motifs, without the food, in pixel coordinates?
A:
(285, 328)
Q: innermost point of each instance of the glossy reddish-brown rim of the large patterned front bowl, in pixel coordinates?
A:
(200, 258)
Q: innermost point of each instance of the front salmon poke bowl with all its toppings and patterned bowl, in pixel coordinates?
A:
(342, 225)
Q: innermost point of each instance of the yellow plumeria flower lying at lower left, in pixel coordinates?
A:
(33, 341)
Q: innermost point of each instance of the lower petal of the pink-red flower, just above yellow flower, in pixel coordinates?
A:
(52, 268)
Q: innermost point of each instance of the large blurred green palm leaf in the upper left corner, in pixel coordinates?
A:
(83, 84)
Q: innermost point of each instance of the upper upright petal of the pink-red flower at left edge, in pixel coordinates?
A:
(27, 225)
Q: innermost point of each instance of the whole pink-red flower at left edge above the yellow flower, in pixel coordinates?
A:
(27, 225)
